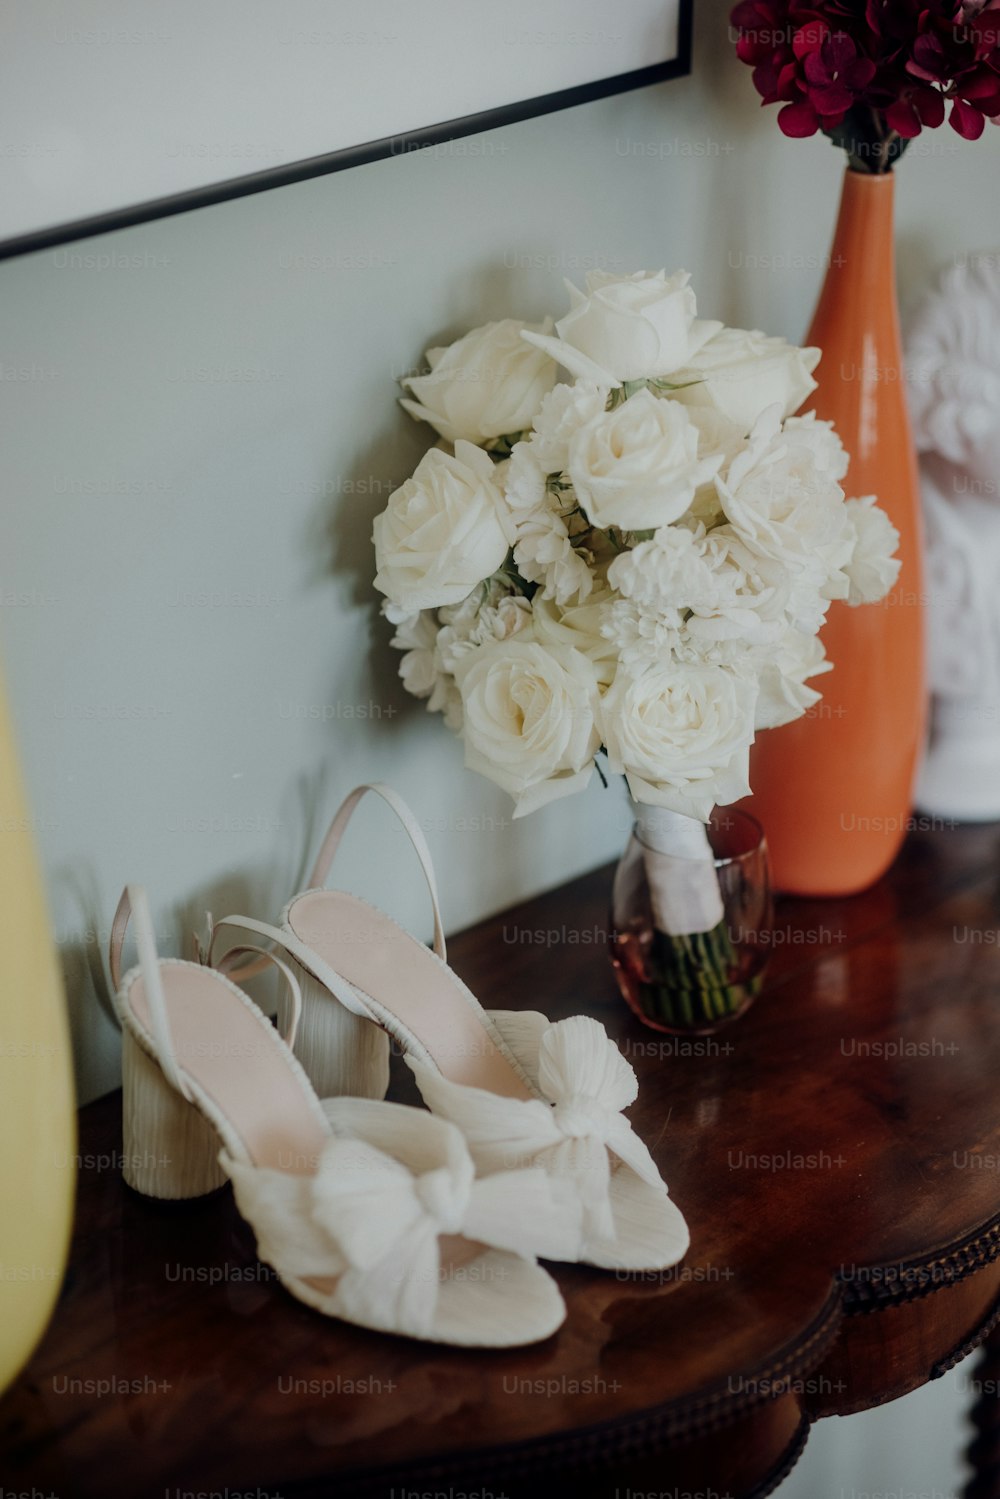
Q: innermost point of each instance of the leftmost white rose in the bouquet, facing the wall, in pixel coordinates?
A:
(445, 531)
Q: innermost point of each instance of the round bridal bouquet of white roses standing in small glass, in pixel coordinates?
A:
(633, 558)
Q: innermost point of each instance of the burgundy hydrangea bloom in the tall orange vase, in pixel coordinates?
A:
(873, 74)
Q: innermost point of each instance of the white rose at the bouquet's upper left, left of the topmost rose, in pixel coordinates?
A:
(488, 384)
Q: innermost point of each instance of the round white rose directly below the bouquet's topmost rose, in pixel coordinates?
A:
(638, 467)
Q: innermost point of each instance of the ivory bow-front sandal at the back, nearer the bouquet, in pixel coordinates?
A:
(522, 1089)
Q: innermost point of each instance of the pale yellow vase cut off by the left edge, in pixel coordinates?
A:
(38, 1124)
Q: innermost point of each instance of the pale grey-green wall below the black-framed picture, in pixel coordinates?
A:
(197, 435)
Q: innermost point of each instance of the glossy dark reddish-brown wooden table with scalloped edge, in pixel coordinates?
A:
(837, 1155)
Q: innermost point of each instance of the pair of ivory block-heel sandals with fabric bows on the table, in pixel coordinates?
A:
(424, 1224)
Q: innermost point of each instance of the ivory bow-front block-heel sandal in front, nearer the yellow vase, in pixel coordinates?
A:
(368, 1212)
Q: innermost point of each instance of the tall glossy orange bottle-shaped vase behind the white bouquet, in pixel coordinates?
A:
(834, 789)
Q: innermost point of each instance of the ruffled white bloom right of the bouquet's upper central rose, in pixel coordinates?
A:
(792, 515)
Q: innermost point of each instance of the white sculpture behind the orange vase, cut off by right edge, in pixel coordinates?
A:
(954, 384)
